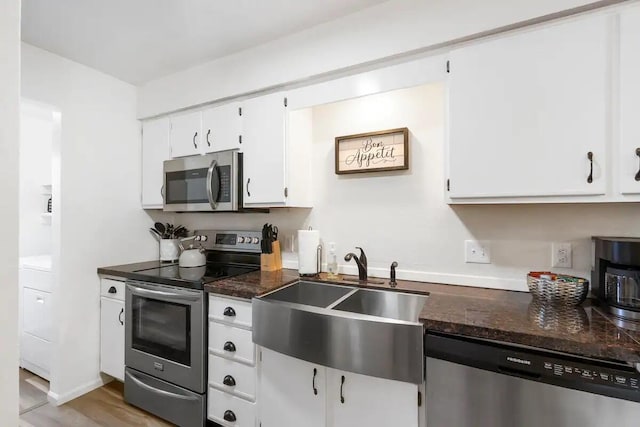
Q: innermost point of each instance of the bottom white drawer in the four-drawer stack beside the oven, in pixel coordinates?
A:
(220, 402)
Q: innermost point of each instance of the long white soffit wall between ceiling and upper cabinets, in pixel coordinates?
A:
(391, 28)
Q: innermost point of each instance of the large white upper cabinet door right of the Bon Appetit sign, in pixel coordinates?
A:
(525, 111)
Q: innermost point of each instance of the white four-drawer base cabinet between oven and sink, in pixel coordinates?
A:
(231, 395)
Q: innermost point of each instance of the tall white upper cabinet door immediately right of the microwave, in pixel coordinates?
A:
(263, 142)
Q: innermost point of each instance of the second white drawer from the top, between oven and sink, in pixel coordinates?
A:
(221, 336)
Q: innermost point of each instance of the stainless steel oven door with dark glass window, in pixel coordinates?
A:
(165, 333)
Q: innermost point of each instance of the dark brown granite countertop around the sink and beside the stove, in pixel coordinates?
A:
(507, 316)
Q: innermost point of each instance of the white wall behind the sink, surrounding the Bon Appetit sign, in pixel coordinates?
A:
(403, 216)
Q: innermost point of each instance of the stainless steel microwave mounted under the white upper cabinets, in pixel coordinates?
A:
(208, 183)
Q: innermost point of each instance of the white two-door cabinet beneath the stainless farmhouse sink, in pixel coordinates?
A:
(295, 393)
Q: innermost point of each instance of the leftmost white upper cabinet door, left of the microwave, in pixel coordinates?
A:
(155, 150)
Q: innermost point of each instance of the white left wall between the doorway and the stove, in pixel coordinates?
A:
(98, 220)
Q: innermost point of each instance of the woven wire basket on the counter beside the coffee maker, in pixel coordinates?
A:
(555, 289)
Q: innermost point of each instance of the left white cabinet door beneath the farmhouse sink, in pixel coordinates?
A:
(291, 392)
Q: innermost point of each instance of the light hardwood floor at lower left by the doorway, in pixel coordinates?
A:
(103, 407)
